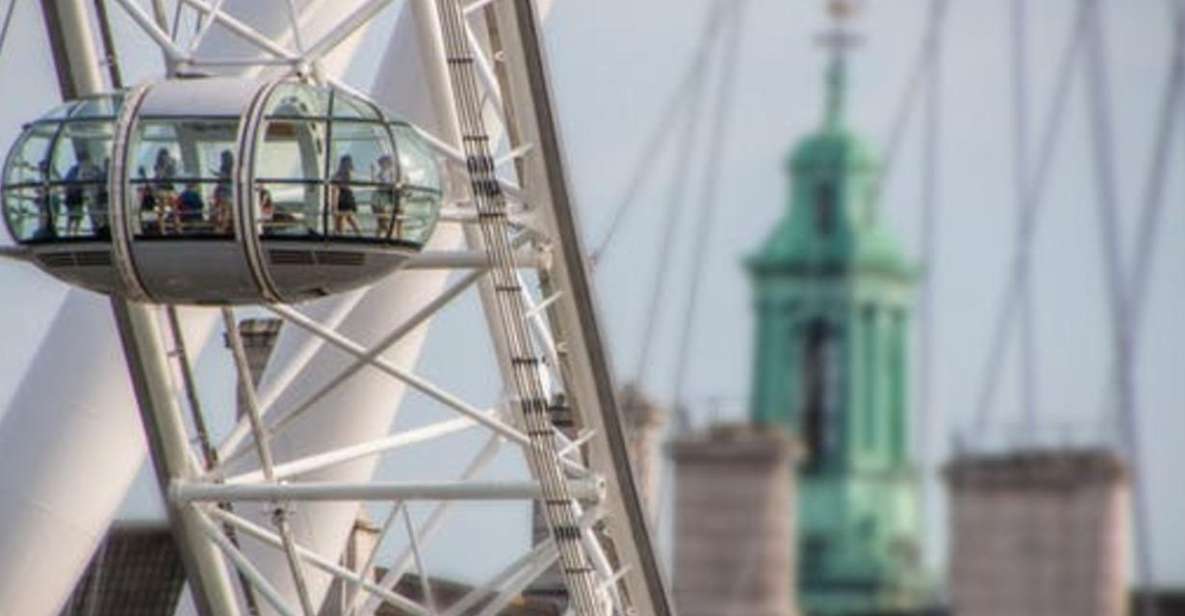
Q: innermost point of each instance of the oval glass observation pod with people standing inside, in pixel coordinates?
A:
(221, 191)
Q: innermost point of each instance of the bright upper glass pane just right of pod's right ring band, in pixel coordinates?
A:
(292, 150)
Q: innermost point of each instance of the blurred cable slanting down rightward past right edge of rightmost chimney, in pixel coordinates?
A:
(1099, 102)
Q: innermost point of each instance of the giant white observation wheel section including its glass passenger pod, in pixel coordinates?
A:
(253, 178)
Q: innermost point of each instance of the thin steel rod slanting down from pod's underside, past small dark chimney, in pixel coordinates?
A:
(280, 516)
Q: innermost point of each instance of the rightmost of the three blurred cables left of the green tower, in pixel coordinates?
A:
(702, 240)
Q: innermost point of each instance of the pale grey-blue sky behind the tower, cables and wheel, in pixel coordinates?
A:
(616, 63)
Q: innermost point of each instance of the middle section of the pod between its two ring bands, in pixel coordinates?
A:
(182, 197)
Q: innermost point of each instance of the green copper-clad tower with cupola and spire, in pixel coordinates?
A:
(832, 296)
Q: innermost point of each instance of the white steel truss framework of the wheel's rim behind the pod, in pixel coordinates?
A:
(523, 260)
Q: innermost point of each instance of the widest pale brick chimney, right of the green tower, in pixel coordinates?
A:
(1040, 532)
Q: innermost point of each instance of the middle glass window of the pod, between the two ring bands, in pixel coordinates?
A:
(183, 183)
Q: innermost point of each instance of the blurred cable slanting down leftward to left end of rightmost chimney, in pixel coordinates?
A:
(1027, 228)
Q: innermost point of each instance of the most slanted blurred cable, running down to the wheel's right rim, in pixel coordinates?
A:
(691, 82)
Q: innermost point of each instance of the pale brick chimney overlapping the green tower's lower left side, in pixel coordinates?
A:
(734, 523)
